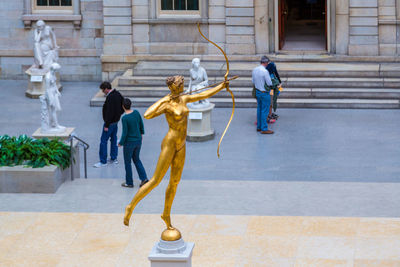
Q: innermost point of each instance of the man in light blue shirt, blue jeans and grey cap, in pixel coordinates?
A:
(260, 78)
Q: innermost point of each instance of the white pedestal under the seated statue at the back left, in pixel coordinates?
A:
(36, 83)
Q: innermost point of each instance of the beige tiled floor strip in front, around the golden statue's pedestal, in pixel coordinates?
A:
(89, 239)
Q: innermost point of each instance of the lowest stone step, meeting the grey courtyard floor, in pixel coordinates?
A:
(283, 103)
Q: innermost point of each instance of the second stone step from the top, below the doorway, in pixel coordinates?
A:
(302, 82)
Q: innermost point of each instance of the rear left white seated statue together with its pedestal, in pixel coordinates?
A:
(45, 52)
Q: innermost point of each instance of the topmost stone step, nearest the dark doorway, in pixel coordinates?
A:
(286, 69)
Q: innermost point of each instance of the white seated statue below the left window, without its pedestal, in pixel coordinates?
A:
(45, 46)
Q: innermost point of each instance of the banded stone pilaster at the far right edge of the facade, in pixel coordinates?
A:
(387, 28)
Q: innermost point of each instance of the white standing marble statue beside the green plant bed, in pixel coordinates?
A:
(51, 102)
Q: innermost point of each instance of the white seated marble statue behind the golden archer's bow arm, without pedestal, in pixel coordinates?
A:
(198, 79)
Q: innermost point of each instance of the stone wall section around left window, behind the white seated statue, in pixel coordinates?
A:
(80, 48)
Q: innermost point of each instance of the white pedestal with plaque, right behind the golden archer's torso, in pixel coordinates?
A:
(199, 124)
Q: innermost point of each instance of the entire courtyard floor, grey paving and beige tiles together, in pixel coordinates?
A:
(322, 191)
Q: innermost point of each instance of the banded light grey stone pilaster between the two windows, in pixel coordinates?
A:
(117, 27)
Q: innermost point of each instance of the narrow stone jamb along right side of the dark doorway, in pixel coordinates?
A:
(342, 27)
